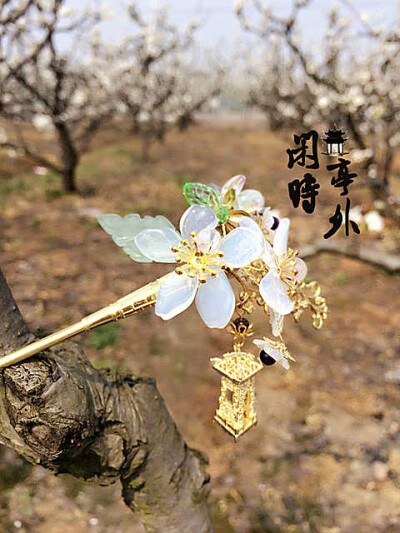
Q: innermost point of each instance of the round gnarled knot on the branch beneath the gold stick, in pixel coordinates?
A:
(52, 406)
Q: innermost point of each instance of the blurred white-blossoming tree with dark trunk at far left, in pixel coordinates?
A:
(58, 93)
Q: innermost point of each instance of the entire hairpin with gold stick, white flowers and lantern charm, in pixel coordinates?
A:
(224, 236)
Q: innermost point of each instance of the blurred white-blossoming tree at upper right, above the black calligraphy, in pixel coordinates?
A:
(352, 79)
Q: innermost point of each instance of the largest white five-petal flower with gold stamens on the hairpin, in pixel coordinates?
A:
(202, 255)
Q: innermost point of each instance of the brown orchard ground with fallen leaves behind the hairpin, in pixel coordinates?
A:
(325, 455)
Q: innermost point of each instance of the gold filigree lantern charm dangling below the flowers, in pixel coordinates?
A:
(236, 412)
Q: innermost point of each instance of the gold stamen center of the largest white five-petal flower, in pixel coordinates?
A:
(196, 263)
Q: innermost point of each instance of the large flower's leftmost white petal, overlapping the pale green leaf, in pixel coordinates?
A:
(156, 244)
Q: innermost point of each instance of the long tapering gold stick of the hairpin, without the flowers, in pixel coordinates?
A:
(132, 304)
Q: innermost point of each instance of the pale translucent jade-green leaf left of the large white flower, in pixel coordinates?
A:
(123, 230)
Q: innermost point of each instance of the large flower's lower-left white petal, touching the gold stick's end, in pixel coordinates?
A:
(175, 295)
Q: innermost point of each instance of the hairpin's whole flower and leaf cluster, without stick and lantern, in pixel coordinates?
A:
(223, 232)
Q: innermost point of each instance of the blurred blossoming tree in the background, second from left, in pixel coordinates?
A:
(160, 77)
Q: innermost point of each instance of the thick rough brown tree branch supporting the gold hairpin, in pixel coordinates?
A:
(58, 411)
